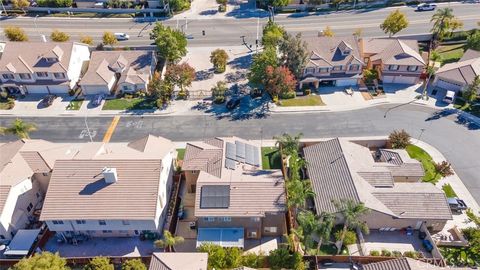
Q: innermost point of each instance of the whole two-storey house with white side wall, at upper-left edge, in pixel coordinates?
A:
(42, 67)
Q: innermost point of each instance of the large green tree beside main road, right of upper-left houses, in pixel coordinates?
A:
(171, 43)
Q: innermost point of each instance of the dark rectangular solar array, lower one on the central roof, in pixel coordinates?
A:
(215, 196)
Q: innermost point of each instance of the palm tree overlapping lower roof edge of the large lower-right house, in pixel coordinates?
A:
(351, 212)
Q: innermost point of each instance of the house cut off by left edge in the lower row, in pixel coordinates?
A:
(25, 169)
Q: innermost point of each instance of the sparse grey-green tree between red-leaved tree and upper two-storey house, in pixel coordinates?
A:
(294, 53)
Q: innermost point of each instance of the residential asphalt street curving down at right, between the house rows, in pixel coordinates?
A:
(459, 142)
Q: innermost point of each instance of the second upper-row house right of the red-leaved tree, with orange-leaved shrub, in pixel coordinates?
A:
(396, 60)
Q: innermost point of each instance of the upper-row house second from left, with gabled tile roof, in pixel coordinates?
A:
(122, 71)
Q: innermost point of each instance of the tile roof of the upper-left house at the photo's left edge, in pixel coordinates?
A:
(19, 57)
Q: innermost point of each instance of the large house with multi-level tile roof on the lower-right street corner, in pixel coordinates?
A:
(386, 181)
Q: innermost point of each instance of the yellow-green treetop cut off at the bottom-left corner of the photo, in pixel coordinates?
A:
(42, 261)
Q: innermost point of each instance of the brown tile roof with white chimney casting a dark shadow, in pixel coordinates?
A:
(77, 190)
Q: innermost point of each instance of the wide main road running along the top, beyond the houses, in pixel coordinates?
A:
(228, 31)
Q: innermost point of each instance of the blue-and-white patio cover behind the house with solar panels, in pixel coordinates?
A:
(225, 237)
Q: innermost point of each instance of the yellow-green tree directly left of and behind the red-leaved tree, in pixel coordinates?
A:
(260, 63)
